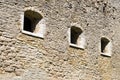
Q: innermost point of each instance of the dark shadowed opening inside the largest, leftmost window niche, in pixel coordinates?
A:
(31, 20)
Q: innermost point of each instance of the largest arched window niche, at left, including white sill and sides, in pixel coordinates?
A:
(33, 24)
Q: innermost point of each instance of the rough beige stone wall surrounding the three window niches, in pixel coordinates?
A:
(24, 57)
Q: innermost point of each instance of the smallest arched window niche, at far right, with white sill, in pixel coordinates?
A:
(106, 47)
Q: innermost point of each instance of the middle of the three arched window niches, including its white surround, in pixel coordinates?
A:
(76, 37)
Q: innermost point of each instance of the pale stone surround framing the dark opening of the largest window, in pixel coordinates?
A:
(41, 23)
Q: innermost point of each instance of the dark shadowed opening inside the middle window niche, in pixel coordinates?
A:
(75, 33)
